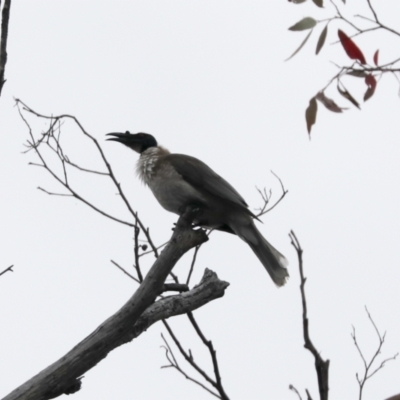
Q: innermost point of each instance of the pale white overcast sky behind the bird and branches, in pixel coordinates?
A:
(208, 79)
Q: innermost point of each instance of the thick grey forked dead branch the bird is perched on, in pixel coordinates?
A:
(64, 376)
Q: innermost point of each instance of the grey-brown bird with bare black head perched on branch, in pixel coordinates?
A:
(179, 180)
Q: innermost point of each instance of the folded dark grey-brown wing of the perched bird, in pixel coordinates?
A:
(203, 177)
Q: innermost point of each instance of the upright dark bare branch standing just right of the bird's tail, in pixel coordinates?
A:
(321, 366)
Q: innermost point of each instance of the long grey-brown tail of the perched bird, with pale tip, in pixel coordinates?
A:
(274, 262)
